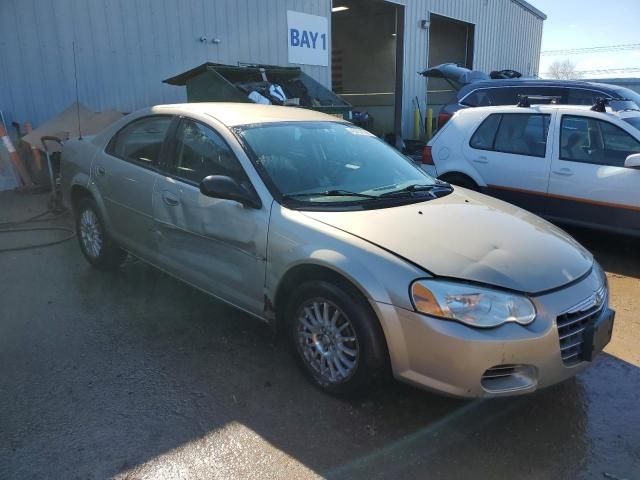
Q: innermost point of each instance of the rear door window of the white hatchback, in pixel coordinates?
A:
(517, 133)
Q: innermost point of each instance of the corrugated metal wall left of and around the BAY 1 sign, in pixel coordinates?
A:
(125, 48)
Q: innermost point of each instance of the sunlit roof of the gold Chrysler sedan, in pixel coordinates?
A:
(235, 114)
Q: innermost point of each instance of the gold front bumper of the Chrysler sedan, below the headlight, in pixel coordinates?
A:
(458, 360)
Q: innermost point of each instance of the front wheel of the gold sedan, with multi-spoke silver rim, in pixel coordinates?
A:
(336, 337)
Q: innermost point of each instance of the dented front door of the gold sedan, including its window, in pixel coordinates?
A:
(217, 245)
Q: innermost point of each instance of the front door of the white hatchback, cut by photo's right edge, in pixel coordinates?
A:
(589, 183)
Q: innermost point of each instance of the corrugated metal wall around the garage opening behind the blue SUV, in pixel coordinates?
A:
(506, 36)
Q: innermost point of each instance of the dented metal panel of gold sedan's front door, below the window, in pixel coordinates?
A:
(217, 245)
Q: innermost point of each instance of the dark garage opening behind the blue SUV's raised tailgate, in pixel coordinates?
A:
(450, 41)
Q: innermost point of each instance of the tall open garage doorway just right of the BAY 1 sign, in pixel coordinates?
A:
(366, 66)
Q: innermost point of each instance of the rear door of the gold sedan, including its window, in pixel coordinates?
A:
(126, 173)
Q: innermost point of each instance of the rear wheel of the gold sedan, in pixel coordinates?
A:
(96, 244)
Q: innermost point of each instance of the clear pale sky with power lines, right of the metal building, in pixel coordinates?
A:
(592, 23)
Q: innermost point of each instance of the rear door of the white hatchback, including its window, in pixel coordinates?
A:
(511, 153)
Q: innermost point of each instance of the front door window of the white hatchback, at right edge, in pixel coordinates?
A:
(589, 140)
